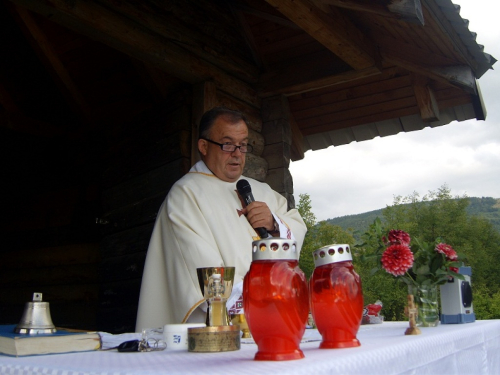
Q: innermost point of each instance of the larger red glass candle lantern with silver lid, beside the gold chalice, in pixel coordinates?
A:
(275, 299)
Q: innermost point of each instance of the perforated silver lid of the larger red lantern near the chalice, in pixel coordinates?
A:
(274, 248)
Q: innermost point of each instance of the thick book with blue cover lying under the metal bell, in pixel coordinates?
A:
(62, 341)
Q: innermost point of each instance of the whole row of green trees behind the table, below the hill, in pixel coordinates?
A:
(436, 214)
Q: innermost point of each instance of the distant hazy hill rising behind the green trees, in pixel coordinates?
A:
(486, 207)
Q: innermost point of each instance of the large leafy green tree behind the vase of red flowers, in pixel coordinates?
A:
(436, 215)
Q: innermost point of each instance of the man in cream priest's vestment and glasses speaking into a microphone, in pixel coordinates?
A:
(204, 223)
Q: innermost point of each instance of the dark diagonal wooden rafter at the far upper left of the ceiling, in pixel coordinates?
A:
(50, 56)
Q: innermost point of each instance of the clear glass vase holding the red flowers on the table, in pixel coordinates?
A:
(426, 299)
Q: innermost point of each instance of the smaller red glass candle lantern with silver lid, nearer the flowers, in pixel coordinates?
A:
(336, 297)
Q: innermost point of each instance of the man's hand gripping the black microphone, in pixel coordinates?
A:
(258, 214)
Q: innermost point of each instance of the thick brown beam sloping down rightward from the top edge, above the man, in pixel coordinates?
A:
(333, 30)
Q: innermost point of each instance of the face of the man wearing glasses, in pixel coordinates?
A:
(228, 166)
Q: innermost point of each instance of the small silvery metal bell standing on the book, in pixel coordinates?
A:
(36, 317)
